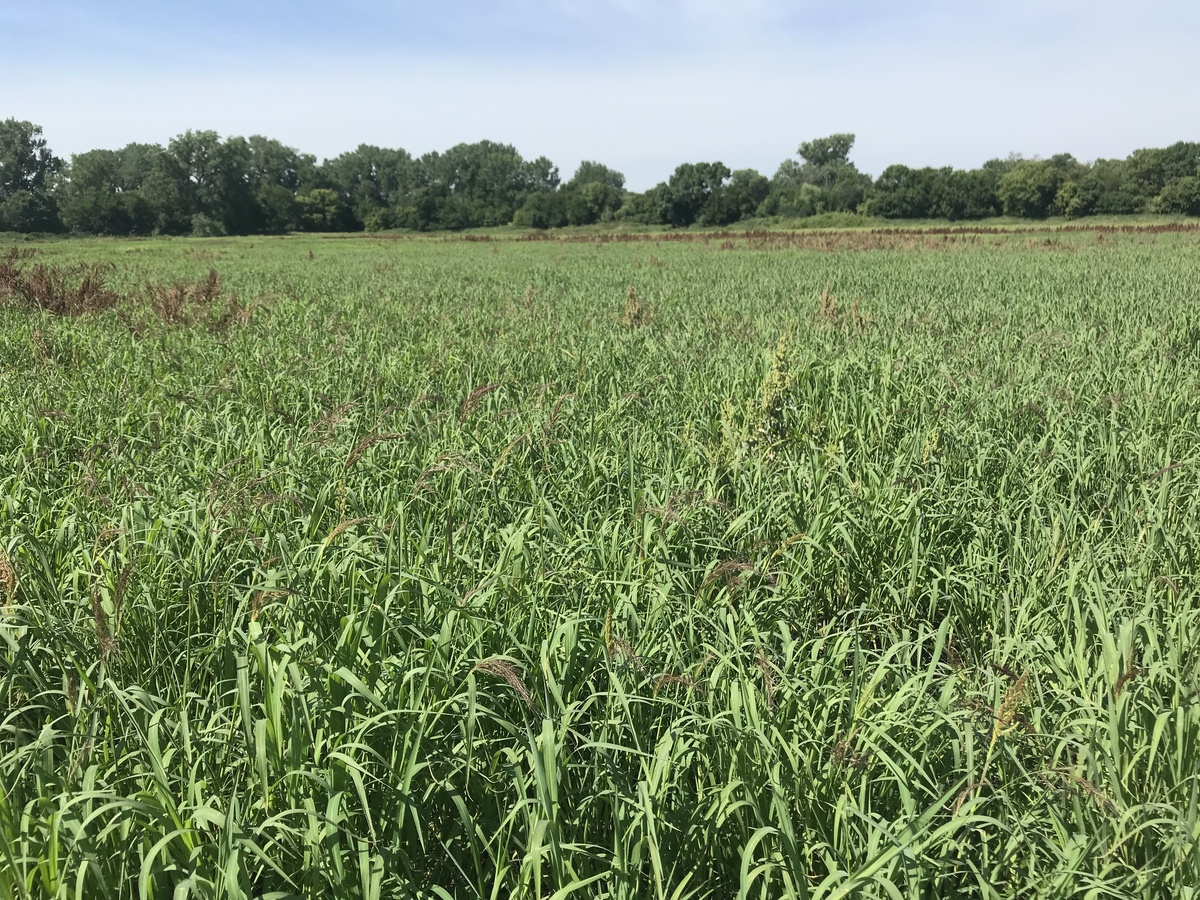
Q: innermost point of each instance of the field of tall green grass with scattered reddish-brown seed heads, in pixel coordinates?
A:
(748, 567)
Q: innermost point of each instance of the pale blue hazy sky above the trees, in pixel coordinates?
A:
(640, 86)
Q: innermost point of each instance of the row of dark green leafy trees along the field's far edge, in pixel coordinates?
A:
(203, 185)
